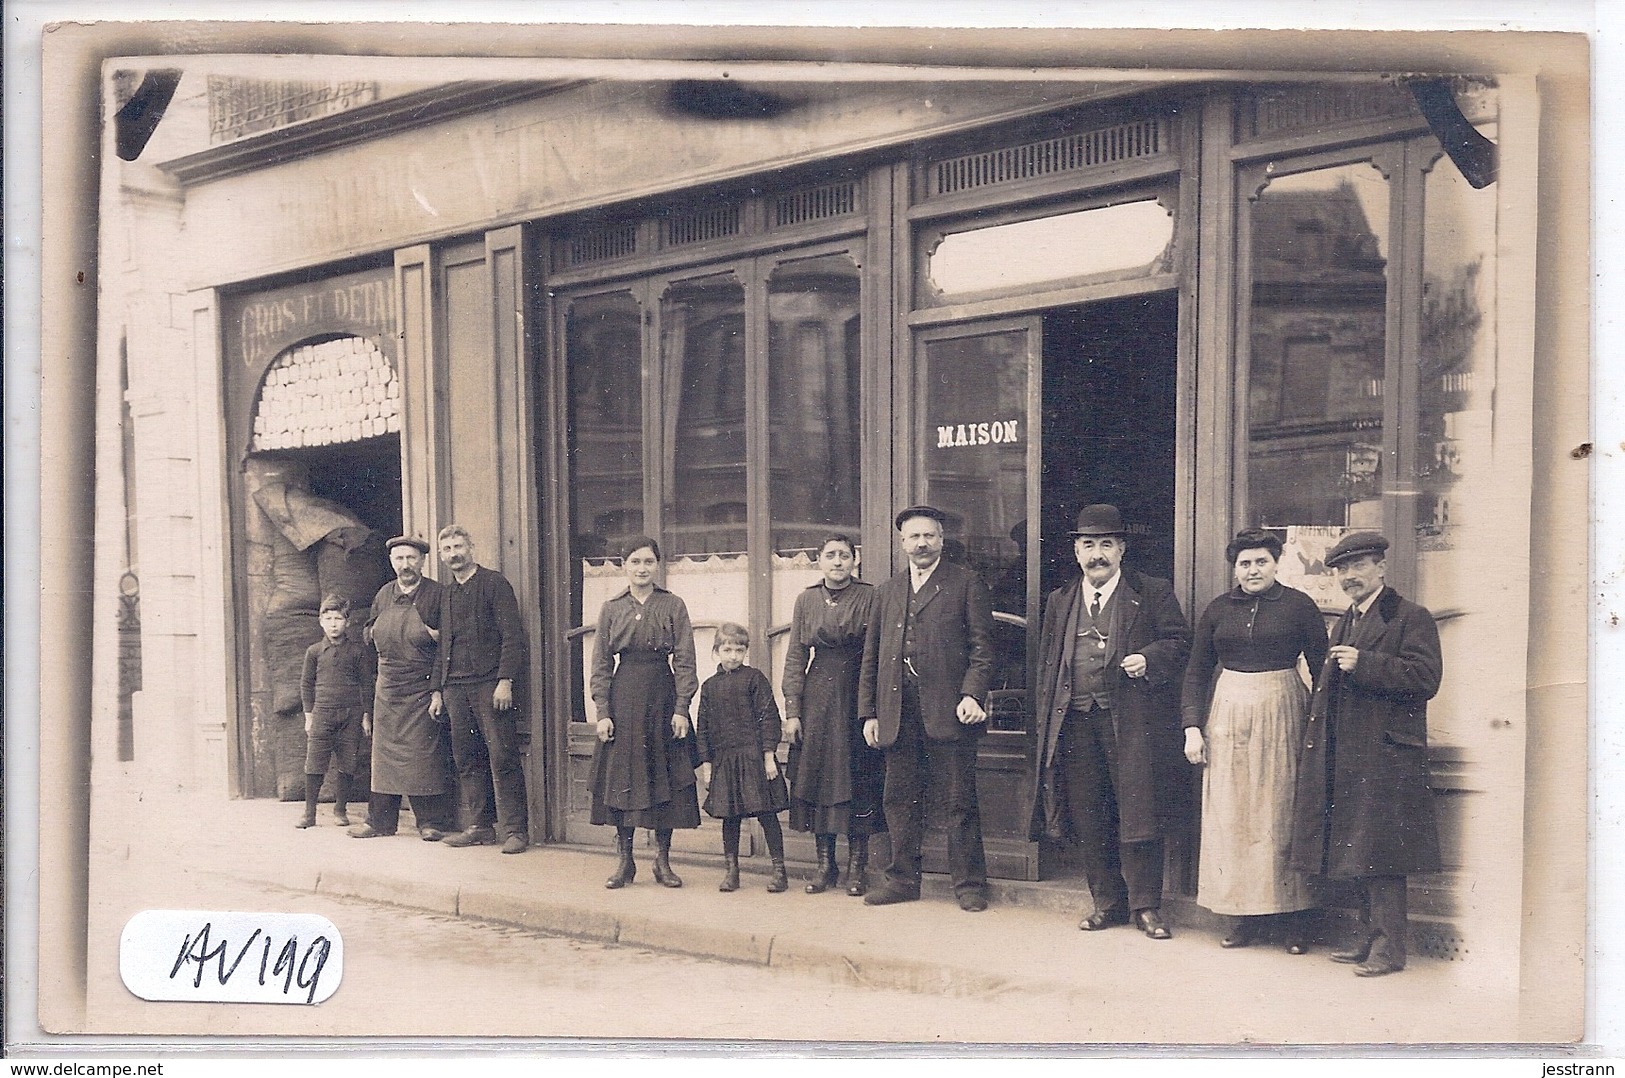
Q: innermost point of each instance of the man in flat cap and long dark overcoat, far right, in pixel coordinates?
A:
(1364, 811)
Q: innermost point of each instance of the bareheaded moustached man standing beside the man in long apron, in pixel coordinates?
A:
(482, 656)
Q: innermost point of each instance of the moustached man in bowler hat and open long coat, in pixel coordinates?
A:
(1112, 772)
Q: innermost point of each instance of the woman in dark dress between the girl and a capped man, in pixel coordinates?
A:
(836, 780)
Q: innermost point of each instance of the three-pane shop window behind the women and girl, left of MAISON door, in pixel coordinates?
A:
(755, 409)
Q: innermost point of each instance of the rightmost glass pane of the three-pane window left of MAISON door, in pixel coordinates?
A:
(813, 430)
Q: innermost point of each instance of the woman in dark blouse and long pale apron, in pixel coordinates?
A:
(1249, 737)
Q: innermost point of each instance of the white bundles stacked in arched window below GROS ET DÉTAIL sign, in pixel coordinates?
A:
(334, 391)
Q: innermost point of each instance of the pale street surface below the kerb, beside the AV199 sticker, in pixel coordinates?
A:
(519, 983)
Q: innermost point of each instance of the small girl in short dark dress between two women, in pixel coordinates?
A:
(739, 736)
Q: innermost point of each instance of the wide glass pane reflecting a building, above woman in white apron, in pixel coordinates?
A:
(1319, 336)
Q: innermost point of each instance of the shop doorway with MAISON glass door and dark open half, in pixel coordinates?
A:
(1099, 385)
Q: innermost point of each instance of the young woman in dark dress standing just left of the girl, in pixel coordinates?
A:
(644, 679)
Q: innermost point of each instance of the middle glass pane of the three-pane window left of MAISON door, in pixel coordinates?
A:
(703, 355)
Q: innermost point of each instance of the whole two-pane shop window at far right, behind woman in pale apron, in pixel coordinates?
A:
(1367, 331)
